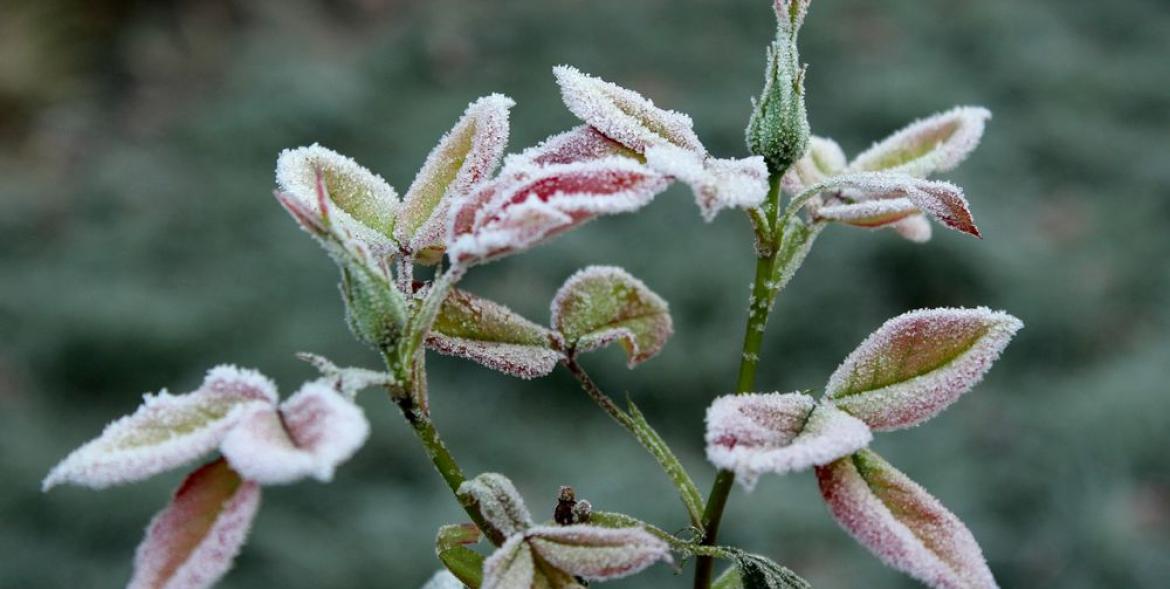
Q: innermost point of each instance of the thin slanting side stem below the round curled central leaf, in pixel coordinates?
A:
(648, 437)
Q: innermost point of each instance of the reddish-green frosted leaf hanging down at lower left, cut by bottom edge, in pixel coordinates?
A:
(192, 543)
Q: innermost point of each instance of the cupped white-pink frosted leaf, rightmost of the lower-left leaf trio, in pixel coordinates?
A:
(314, 432)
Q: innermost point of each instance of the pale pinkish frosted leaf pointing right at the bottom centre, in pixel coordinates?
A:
(596, 553)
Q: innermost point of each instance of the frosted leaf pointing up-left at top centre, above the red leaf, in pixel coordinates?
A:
(623, 115)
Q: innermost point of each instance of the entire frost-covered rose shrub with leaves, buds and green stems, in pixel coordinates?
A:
(471, 204)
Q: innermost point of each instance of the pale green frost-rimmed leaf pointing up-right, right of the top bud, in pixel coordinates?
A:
(934, 145)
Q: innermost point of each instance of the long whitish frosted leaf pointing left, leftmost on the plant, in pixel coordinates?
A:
(167, 432)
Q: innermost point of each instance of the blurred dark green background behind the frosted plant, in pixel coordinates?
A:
(140, 245)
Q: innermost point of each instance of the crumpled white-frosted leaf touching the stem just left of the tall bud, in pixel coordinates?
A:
(718, 183)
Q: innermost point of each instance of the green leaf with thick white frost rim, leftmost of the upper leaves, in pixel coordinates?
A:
(347, 196)
